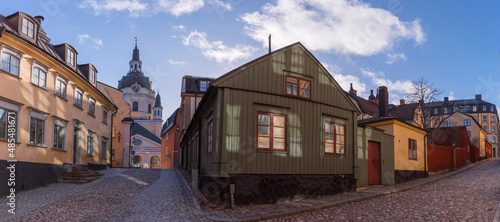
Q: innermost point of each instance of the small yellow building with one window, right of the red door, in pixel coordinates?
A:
(409, 147)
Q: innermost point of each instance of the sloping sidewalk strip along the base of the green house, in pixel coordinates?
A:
(269, 211)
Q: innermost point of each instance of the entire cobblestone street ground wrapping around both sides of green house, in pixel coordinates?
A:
(161, 195)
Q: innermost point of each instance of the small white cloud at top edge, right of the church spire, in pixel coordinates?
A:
(179, 7)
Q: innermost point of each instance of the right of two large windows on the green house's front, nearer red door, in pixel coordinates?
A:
(334, 138)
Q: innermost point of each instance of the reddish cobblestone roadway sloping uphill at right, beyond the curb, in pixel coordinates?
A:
(472, 195)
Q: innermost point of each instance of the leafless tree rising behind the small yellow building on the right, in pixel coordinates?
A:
(425, 94)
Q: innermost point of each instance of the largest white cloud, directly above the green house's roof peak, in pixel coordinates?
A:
(341, 26)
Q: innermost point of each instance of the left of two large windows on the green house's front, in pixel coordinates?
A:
(271, 131)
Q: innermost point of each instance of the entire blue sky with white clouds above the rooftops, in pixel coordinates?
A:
(455, 45)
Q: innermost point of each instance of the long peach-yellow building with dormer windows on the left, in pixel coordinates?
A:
(59, 116)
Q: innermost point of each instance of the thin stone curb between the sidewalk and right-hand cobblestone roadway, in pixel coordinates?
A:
(329, 205)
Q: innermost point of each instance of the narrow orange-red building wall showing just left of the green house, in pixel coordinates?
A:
(170, 142)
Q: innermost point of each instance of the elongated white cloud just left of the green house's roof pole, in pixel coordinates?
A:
(217, 50)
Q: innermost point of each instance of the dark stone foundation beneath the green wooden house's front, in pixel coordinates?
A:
(269, 189)
